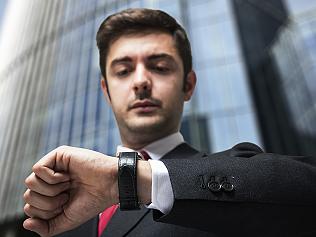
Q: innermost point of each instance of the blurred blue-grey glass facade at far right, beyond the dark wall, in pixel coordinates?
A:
(294, 53)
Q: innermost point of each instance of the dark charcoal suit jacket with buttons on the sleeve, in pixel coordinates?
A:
(273, 195)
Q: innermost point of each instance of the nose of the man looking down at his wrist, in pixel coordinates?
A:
(142, 80)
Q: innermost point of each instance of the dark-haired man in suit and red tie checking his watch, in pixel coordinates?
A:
(145, 60)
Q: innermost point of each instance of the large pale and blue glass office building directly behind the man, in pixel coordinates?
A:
(50, 85)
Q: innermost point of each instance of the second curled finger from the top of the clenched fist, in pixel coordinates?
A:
(36, 184)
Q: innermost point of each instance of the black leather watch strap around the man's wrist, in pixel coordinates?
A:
(127, 180)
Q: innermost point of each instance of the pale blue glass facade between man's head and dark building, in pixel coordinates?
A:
(222, 94)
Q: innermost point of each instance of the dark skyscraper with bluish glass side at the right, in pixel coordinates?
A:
(279, 47)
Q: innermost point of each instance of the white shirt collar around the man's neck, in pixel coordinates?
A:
(158, 148)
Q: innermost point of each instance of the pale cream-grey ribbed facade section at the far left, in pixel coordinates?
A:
(26, 65)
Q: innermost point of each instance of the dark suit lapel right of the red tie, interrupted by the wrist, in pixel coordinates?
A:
(124, 221)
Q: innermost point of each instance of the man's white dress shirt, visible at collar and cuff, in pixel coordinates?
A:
(161, 192)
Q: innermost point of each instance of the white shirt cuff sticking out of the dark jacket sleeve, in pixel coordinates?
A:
(161, 191)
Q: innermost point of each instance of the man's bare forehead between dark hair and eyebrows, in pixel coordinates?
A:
(143, 45)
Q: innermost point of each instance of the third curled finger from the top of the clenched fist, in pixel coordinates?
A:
(44, 202)
